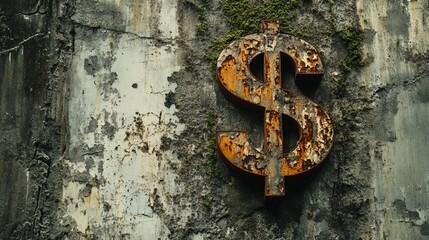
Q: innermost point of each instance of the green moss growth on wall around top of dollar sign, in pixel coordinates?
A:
(244, 17)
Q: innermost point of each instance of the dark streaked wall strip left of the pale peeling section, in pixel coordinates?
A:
(31, 116)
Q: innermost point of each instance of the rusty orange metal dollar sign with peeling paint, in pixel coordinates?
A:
(239, 84)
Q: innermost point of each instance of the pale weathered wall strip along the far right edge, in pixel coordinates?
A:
(398, 74)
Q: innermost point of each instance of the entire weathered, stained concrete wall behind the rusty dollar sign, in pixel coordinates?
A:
(109, 111)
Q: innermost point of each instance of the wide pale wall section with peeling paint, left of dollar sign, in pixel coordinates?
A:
(118, 120)
